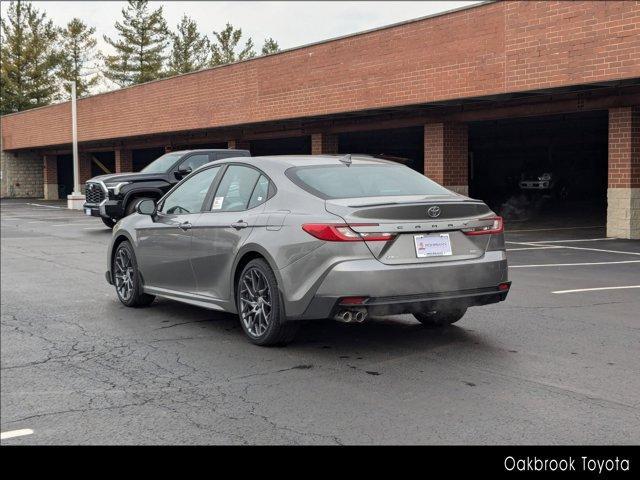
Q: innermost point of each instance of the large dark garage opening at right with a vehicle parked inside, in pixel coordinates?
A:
(541, 167)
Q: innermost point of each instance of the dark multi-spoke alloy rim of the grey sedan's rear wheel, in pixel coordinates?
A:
(255, 302)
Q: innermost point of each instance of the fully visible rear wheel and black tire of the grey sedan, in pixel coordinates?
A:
(260, 307)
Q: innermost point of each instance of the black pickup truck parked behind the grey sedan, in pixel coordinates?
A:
(112, 197)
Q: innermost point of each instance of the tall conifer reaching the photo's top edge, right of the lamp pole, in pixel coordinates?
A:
(140, 46)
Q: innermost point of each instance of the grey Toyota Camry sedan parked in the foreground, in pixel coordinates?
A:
(287, 238)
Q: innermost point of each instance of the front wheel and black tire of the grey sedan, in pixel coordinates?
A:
(126, 277)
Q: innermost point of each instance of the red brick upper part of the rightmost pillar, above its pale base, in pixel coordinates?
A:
(624, 147)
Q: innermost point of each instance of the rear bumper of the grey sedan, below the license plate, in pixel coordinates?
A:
(393, 289)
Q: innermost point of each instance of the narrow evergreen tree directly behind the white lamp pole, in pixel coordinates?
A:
(77, 62)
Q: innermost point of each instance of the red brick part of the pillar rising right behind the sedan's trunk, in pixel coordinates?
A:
(446, 153)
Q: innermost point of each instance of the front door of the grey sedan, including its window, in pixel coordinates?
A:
(164, 243)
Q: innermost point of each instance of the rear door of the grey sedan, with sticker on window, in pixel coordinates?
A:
(220, 232)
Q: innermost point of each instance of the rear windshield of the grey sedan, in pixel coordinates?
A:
(340, 181)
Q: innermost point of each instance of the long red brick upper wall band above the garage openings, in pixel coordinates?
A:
(490, 49)
